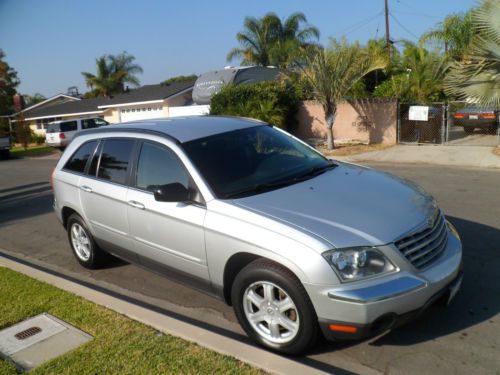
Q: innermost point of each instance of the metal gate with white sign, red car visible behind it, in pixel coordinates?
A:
(454, 123)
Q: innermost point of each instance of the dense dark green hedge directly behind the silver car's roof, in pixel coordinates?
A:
(273, 102)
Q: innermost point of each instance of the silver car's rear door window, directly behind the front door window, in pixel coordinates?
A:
(114, 160)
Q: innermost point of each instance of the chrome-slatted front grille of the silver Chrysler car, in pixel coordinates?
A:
(423, 247)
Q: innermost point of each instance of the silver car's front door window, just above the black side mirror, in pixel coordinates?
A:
(159, 166)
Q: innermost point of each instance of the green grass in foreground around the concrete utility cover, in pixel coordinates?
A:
(120, 345)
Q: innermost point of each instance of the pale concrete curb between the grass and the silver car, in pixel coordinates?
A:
(252, 355)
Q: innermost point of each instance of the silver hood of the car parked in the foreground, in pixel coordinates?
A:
(347, 206)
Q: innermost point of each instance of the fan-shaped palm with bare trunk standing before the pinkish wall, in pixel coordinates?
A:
(332, 72)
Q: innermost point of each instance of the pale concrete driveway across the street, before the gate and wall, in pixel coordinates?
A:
(463, 156)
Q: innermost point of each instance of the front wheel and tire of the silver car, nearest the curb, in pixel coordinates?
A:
(263, 283)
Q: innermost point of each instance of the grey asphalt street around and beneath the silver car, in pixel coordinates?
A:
(461, 339)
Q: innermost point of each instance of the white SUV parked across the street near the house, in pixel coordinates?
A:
(60, 133)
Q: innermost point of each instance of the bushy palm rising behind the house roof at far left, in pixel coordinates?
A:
(113, 73)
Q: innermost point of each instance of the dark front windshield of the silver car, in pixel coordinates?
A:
(252, 160)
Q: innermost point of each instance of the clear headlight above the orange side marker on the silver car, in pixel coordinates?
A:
(357, 263)
